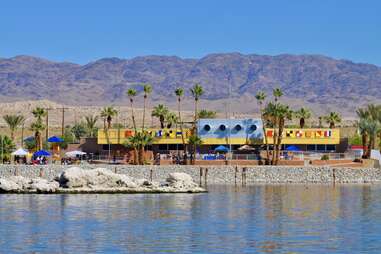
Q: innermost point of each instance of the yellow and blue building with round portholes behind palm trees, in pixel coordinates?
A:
(228, 132)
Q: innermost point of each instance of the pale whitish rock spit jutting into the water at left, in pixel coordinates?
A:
(99, 180)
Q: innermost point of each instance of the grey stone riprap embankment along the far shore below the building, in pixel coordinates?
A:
(217, 174)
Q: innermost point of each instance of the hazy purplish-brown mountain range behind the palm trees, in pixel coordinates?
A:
(319, 82)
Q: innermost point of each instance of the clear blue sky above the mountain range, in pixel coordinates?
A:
(81, 31)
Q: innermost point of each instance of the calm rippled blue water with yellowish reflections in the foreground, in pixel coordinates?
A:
(270, 219)
